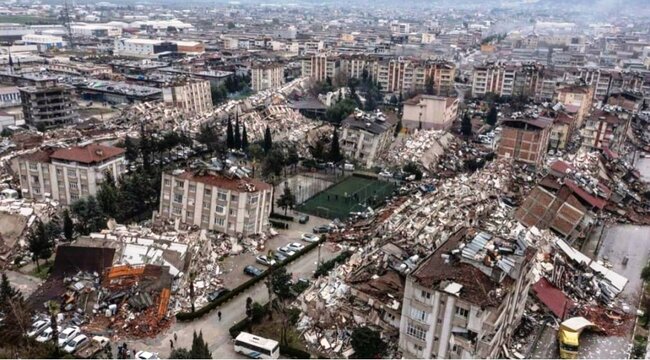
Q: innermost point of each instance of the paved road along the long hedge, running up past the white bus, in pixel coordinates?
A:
(215, 332)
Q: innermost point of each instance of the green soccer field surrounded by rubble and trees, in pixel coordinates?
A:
(353, 194)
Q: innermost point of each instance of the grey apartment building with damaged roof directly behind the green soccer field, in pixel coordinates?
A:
(365, 136)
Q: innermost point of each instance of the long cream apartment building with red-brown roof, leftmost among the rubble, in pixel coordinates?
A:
(67, 175)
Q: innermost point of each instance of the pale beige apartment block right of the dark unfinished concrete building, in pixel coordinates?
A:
(193, 96)
